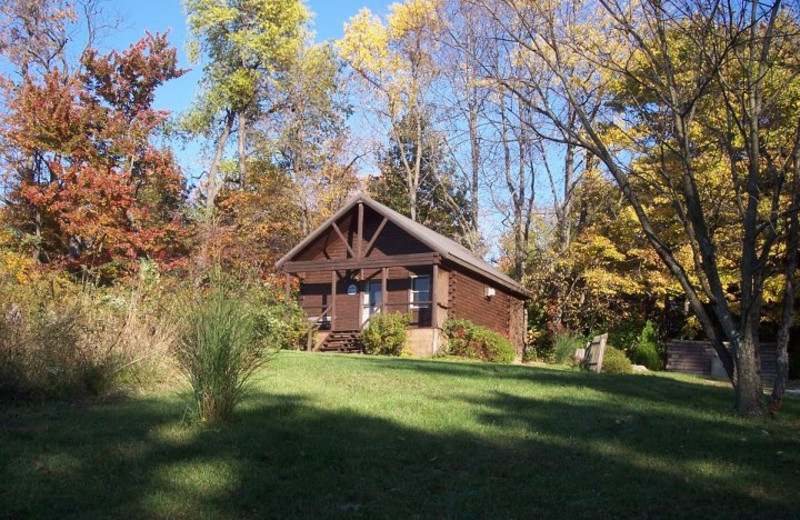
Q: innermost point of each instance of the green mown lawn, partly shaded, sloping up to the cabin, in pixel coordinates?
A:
(357, 437)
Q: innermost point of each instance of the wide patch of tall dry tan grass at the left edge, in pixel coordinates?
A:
(70, 342)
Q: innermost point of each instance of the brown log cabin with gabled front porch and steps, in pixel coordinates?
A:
(368, 259)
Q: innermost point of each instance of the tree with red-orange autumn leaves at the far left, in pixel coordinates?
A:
(85, 180)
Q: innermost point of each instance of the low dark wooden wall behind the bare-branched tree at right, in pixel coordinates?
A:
(695, 357)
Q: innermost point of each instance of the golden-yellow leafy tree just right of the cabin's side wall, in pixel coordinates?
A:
(608, 279)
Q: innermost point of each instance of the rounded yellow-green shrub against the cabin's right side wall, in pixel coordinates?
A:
(466, 339)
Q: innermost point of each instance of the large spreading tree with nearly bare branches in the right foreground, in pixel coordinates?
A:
(677, 58)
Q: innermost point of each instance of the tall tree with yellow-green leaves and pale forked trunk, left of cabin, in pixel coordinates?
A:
(248, 45)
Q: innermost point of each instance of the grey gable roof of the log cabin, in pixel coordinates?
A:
(447, 248)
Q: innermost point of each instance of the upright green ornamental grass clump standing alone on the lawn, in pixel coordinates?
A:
(219, 350)
